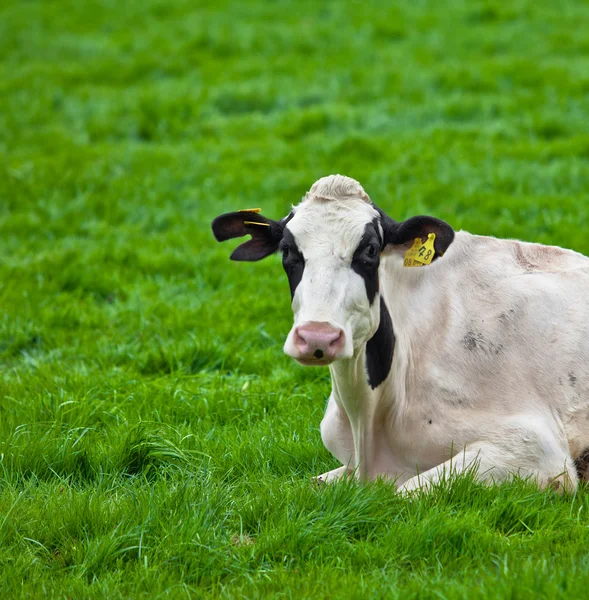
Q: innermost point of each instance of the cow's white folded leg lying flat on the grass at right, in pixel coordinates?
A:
(495, 463)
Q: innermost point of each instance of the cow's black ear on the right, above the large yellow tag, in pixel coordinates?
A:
(402, 235)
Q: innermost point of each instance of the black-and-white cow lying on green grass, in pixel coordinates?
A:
(448, 352)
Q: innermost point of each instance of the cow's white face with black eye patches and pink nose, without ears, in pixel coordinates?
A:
(331, 253)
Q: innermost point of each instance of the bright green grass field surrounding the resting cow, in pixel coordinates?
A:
(154, 441)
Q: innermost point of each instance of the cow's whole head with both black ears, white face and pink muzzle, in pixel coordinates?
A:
(331, 245)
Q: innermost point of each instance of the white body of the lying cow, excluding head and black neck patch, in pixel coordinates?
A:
(491, 365)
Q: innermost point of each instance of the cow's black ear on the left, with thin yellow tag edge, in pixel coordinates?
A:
(266, 233)
